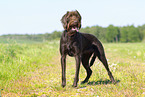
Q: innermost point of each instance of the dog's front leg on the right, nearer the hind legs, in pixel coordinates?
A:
(76, 79)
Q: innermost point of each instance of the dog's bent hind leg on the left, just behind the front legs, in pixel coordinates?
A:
(85, 63)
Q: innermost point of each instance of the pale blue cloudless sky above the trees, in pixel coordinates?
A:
(43, 16)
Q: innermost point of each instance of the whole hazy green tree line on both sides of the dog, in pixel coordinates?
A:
(111, 33)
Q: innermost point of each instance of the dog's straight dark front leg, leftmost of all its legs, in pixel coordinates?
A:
(63, 66)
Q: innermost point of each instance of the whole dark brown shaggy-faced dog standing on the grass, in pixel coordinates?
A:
(81, 46)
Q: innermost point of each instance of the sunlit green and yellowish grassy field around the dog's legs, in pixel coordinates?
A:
(33, 69)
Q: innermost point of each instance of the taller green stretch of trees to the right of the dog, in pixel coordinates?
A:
(117, 34)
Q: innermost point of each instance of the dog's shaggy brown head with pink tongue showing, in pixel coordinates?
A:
(71, 21)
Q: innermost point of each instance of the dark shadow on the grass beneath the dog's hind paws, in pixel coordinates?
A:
(102, 82)
